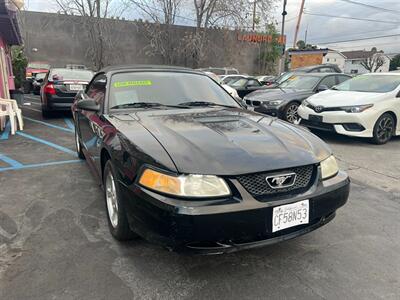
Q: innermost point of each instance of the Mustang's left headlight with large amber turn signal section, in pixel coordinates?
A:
(185, 185)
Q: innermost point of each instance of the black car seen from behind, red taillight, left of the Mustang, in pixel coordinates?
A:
(60, 87)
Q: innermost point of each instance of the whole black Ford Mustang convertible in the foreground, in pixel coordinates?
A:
(184, 165)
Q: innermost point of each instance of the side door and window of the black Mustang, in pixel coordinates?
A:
(90, 123)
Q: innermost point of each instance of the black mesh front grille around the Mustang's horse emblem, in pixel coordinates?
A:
(257, 186)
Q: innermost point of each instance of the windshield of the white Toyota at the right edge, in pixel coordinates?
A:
(370, 84)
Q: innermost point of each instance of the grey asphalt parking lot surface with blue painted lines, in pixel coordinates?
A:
(55, 243)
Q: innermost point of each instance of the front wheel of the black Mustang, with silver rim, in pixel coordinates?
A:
(116, 212)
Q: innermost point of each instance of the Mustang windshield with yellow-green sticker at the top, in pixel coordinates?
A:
(167, 88)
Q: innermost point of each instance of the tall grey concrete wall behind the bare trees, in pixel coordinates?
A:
(61, 40)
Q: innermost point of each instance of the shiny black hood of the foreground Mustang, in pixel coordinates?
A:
(229, 141)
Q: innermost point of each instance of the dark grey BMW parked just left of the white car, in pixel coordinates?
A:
(285, 100)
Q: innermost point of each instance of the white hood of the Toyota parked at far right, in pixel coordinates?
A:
(332, 98)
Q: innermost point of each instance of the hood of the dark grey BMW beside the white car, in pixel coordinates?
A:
(277, 93)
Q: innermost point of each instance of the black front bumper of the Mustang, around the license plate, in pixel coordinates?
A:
(226, 225)
